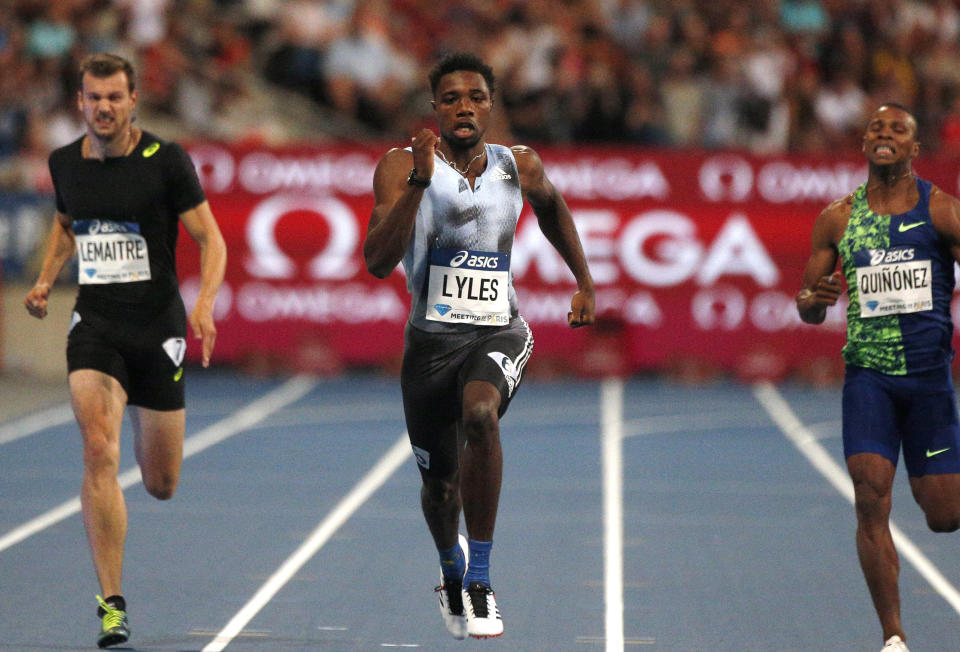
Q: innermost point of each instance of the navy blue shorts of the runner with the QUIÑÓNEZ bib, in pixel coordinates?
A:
(918, 412)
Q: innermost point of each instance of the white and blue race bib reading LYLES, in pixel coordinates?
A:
(469, 287)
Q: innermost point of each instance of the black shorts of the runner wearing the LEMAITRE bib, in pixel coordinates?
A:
(147, 359)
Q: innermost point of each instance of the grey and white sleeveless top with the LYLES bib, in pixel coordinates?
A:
(458, 260)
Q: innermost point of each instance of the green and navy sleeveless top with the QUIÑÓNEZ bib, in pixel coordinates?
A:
(900, 282)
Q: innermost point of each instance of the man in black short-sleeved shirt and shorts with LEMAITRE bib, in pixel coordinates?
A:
(120, 194)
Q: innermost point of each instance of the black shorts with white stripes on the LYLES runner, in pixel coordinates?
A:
(436, 368)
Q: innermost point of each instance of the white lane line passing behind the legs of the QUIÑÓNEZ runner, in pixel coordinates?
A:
(806, 442)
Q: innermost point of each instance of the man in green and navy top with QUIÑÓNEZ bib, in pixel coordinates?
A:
(897, 237)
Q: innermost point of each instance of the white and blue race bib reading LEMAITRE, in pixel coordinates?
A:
(111, 252)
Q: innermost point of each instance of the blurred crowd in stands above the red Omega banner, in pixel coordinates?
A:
(766, 76)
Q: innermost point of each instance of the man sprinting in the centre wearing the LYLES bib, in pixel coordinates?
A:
(448, 208)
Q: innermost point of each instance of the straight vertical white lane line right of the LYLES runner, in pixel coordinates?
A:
(612, 417)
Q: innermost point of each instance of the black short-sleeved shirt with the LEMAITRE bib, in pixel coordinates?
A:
(125, 214)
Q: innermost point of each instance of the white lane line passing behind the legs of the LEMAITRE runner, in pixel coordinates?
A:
(244, 418)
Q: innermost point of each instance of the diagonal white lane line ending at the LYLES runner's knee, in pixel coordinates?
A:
(374, 479)
